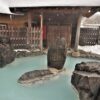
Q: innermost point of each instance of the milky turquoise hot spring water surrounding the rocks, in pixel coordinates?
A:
(58, 89)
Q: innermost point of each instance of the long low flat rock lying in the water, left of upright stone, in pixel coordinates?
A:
(36, 76)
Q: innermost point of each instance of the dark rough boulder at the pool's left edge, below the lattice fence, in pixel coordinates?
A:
(7, 54)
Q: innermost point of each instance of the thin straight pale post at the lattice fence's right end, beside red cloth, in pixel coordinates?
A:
(41, 32)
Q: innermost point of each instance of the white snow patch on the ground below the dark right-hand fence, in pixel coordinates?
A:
(93, 49)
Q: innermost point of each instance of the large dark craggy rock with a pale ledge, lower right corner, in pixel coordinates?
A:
(86, 80)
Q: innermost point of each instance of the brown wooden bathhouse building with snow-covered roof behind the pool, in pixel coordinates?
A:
(38, 25)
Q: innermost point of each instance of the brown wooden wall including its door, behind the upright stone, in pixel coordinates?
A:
(61, 23)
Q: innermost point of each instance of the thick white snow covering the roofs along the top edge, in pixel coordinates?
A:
(6, 4)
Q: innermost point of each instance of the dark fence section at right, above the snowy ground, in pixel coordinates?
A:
(89, 36)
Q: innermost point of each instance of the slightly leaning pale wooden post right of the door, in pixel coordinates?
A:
(78, 32)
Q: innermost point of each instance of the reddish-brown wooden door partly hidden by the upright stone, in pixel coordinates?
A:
(53, 31)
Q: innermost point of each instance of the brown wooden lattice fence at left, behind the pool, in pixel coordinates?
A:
(21, 38)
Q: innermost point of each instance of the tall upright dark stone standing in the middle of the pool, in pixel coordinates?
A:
(56, 55)
